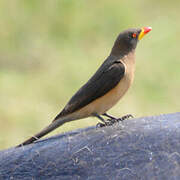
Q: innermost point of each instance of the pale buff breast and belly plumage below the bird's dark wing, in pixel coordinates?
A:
(104, 103)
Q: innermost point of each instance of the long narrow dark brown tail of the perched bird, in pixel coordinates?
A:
(56, 123)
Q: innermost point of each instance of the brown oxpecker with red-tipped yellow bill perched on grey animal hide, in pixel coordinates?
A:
(105, 88)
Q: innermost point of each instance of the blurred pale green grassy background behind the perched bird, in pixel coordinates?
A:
(48, 49)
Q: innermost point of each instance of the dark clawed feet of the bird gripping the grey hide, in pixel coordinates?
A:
(111, 121)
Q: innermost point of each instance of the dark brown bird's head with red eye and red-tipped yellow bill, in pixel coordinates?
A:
(127, 40)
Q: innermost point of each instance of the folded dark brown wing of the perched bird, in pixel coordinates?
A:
(102, 82)
